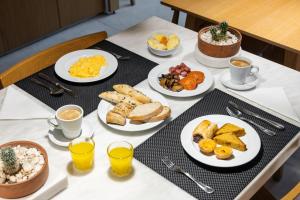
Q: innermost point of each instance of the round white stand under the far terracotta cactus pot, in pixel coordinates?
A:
(211, 61)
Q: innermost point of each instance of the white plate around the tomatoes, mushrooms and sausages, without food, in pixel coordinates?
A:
(156, 72)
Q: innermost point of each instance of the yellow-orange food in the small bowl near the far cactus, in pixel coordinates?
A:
(163, 42)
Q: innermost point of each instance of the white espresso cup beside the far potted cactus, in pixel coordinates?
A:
(241, 68)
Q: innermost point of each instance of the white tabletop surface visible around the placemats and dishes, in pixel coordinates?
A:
(145, 183)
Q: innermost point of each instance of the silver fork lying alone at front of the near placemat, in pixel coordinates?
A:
(172, 166)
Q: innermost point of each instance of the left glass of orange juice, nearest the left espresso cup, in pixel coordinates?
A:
(82, 153)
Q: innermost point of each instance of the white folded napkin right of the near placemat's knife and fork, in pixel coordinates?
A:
(273, 98)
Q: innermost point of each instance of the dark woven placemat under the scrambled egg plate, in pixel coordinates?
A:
(129, 72)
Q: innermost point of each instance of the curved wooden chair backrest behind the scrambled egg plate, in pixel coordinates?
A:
(47, 57)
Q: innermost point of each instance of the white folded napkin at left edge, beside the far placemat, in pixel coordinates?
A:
(17, 105)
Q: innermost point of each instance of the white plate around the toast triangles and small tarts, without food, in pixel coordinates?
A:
(251, 139)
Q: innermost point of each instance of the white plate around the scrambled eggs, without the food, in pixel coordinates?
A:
(63, 64)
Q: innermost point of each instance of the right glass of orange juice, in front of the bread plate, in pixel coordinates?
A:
(120, 156)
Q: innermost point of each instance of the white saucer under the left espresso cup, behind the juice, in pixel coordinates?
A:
(56, 136)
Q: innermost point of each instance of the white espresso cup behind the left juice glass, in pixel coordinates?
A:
(69, 119)
